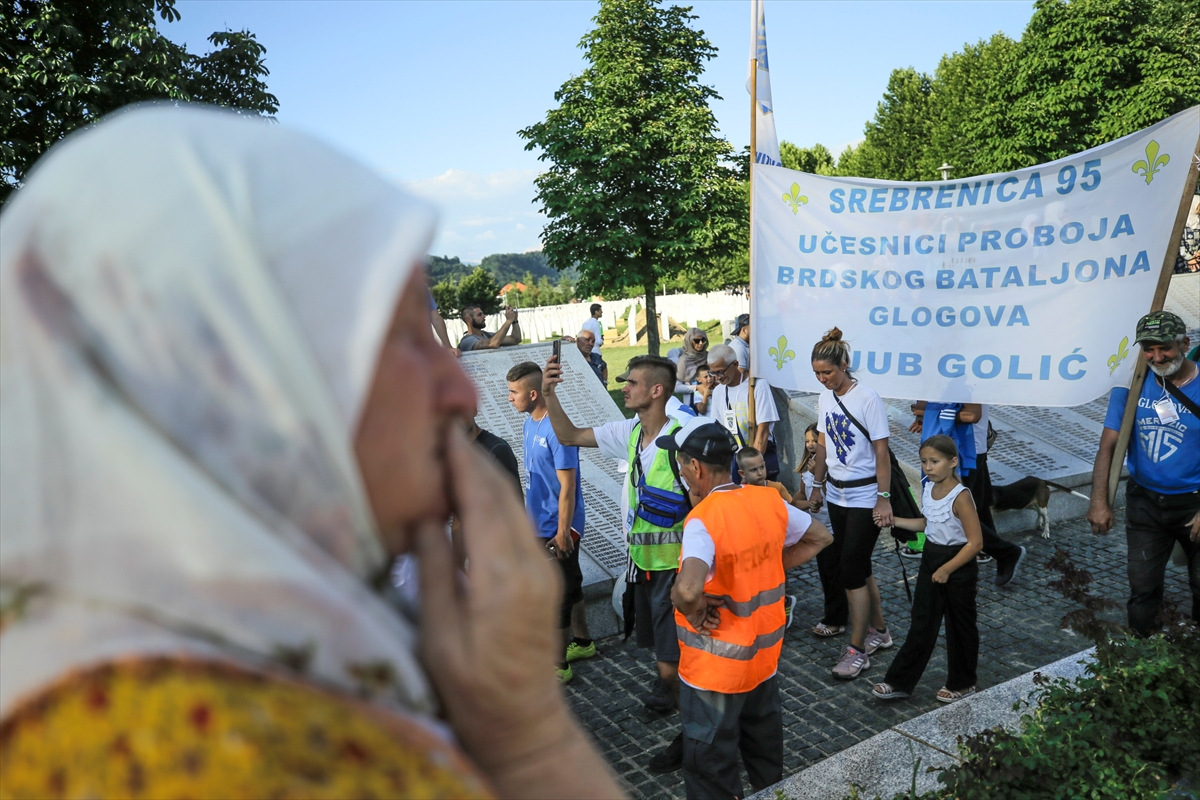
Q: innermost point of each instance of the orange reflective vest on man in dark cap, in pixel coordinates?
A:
(748, 526)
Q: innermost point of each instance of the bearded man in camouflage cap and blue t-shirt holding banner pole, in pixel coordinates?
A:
(1163, 491)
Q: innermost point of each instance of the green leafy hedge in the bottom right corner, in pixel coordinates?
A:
(1130, 727)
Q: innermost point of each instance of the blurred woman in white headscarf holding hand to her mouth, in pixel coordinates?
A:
(224, 414)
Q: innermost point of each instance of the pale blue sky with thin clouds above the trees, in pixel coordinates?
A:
(433, 93)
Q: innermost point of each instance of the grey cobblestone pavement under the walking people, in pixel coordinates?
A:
(1018, 627)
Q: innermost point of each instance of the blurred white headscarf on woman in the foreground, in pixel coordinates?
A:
(191, 308)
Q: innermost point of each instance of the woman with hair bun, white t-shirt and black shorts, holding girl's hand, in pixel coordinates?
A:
(853, 459)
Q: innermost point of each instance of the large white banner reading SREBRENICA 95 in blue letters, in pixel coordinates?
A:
(1017, 288)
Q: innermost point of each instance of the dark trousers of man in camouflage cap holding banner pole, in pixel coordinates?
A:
(1153, 528)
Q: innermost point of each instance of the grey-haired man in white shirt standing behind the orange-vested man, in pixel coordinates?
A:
(730, 405)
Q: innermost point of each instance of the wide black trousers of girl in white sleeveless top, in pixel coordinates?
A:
(955, 600)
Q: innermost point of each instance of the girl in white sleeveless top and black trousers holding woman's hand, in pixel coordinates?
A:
(946, 585)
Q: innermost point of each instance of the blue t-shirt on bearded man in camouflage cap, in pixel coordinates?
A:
(1167, 455)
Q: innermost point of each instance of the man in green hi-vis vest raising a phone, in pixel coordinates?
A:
(655, 506)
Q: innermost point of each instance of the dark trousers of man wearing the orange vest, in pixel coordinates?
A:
(717, 727)
